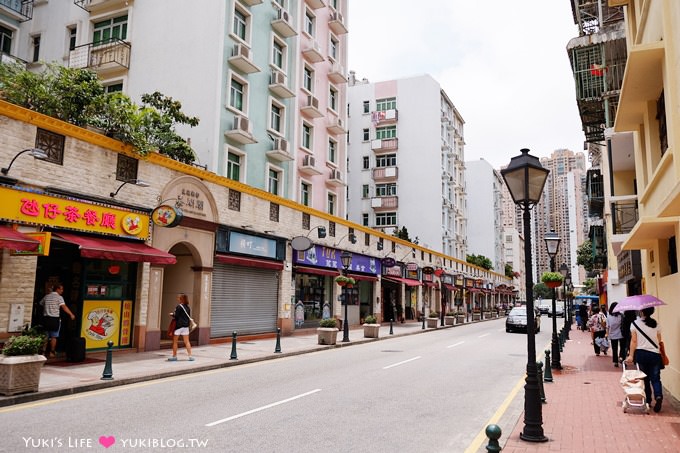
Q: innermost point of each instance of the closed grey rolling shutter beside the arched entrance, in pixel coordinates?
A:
(245, 300)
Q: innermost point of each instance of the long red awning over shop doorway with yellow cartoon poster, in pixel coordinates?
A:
(112, 249)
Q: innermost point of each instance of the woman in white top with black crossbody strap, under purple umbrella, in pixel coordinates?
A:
(645, 337)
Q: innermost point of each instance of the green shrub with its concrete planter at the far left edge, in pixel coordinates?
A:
(21, 362)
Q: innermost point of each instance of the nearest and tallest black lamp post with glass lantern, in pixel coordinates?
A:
(525, 178)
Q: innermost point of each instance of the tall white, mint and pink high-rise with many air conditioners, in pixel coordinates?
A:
(266, 79)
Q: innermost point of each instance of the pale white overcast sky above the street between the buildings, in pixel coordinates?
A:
(503, 64)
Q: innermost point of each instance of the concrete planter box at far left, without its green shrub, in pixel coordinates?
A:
(20, 374)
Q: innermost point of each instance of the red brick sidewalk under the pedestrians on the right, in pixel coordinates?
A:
(583, 411)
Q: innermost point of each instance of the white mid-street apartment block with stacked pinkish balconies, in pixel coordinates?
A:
(406, 161)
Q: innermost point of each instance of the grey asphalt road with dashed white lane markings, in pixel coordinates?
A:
(417, 393)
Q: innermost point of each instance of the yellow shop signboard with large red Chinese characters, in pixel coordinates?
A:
(40, 209)
